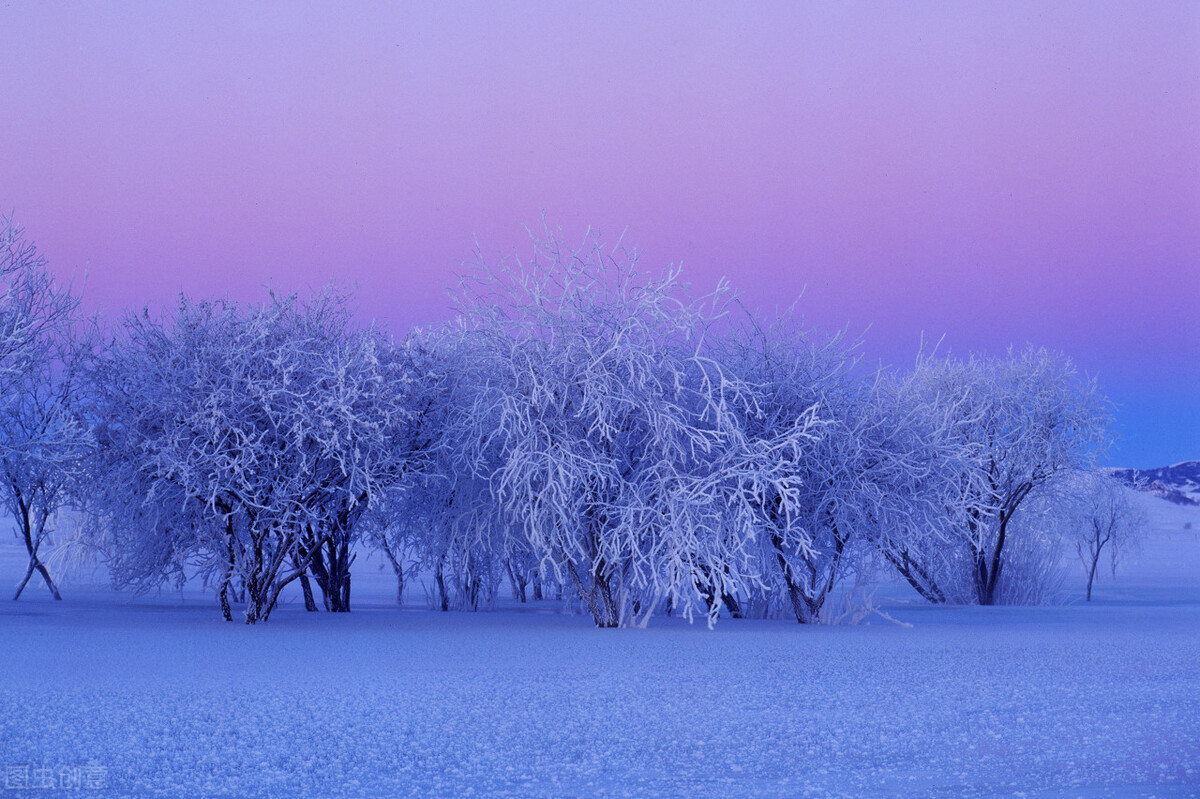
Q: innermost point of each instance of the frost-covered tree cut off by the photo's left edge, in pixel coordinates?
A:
(43, 436)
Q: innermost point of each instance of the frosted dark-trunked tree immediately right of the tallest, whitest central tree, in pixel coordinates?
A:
(797, 502)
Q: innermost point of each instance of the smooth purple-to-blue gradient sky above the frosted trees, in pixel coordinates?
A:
(995, 173)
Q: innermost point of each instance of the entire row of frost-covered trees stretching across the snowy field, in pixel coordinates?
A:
(583, 429)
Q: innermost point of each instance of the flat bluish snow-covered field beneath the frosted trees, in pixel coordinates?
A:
(111, 695)
